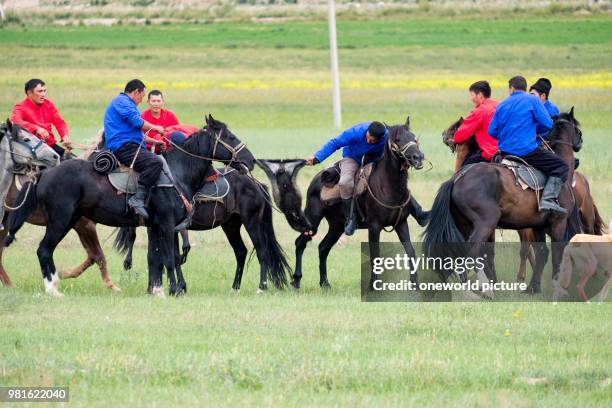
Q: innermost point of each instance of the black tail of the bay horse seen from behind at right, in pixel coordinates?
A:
(442, 228)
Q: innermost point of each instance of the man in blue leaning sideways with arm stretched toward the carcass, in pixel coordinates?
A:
(366, 138)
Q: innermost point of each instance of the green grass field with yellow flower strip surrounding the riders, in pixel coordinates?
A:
(270, 83)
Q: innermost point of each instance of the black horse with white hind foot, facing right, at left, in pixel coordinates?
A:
(74, 189)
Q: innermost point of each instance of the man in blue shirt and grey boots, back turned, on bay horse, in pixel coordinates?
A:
(517, 121)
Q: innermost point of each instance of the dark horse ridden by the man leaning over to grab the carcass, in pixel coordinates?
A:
(386, 203)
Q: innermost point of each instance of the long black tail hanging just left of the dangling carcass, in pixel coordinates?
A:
(273, 257)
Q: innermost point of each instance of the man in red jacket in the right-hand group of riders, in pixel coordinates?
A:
(477, 124)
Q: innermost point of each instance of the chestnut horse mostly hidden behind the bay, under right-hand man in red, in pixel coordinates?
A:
(591, 221)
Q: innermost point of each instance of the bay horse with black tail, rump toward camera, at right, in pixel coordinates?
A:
(469, 208)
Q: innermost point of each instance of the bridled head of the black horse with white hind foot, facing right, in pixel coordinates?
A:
(227, 147)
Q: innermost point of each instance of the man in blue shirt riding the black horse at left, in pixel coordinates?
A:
(123, 128)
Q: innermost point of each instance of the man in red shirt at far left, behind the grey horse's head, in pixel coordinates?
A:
(36, 113)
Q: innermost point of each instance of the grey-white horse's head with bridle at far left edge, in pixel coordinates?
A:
(26, 148)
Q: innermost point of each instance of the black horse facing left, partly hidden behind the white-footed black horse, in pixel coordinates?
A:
(248, 204)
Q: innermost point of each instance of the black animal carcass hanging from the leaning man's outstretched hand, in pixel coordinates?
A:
(283, 178)
